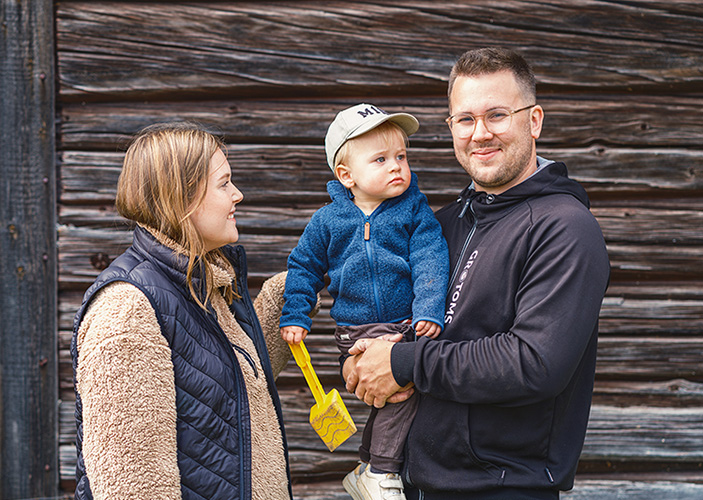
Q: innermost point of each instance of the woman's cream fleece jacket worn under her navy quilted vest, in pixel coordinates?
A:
(126, 382)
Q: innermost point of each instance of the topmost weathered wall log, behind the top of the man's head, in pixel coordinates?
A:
(146, 50)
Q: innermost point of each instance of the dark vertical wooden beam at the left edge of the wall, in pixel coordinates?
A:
(28, 283)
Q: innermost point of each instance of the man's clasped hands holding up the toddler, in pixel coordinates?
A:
(369, 375)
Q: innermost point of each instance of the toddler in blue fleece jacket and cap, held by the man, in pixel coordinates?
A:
(388, 265)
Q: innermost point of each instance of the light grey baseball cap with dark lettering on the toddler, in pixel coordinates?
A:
(359, 119)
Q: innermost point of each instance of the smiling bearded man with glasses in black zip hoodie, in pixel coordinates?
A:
(506, 388)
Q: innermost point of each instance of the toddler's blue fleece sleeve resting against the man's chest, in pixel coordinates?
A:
(429, 262)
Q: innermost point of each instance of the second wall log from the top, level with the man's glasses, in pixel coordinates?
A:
(572, 121)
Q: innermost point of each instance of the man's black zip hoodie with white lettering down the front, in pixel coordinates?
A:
(506, 389)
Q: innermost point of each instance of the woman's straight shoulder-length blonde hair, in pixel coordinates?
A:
(163, 181)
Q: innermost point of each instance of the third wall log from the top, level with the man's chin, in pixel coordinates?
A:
(284, 175)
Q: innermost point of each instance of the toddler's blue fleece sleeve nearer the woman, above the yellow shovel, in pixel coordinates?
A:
(307, 265)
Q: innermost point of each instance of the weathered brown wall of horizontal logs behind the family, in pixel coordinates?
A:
(621, 83)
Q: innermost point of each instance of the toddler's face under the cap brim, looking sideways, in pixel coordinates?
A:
(378, 167)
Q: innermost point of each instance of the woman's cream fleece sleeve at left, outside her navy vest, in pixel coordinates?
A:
(126, 383)
